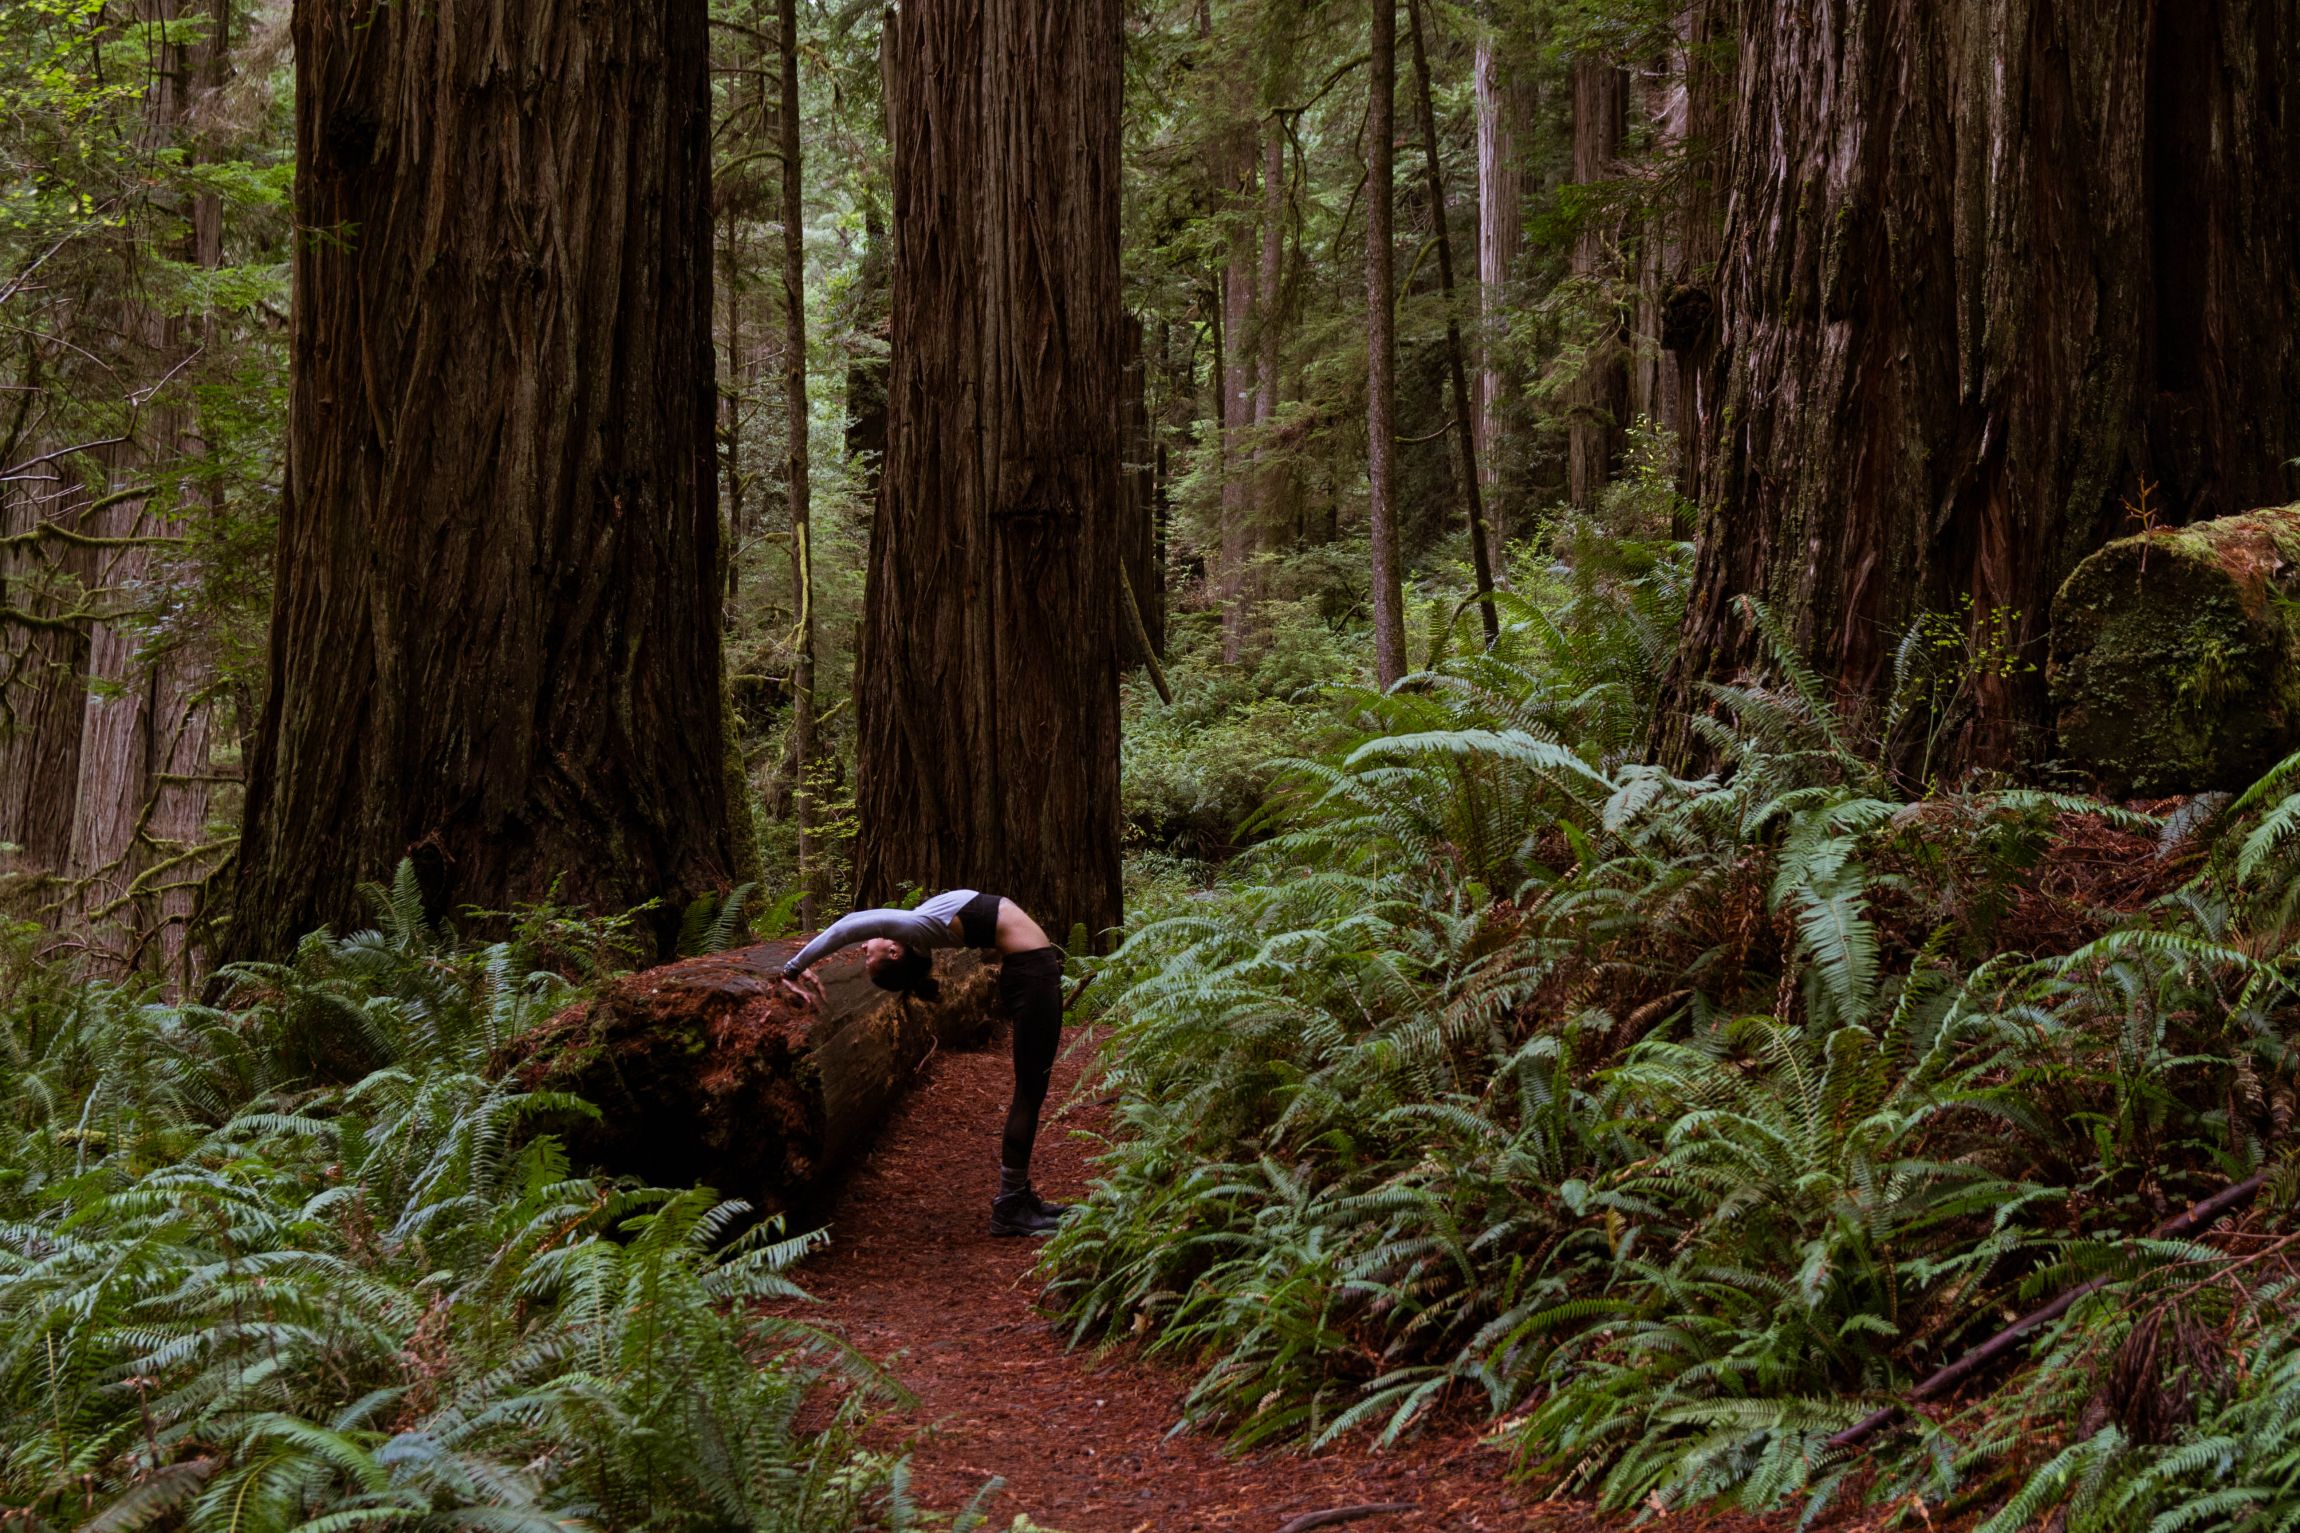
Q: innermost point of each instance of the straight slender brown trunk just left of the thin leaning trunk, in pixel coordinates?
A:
(1383, 348)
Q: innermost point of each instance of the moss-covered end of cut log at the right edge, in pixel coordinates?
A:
(2177, 656)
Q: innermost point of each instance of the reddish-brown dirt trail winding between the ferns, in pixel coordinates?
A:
(1082, 1440)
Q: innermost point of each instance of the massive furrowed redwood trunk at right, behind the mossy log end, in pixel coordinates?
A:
(1988, 270)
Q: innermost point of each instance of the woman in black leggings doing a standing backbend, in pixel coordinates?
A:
(898, 953)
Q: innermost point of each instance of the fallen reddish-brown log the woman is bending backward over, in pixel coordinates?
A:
(712, 1072)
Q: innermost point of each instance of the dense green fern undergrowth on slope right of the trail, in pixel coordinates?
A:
(1673, 1125)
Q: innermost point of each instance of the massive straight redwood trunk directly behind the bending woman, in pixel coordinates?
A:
(990, 652)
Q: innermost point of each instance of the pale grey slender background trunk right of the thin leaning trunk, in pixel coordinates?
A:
(1505, 116)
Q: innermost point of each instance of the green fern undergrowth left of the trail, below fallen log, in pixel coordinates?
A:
(296, 1263)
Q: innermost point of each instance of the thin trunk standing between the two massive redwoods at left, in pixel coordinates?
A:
(795, 392)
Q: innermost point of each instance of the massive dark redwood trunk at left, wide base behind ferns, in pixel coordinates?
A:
(496, 640)
